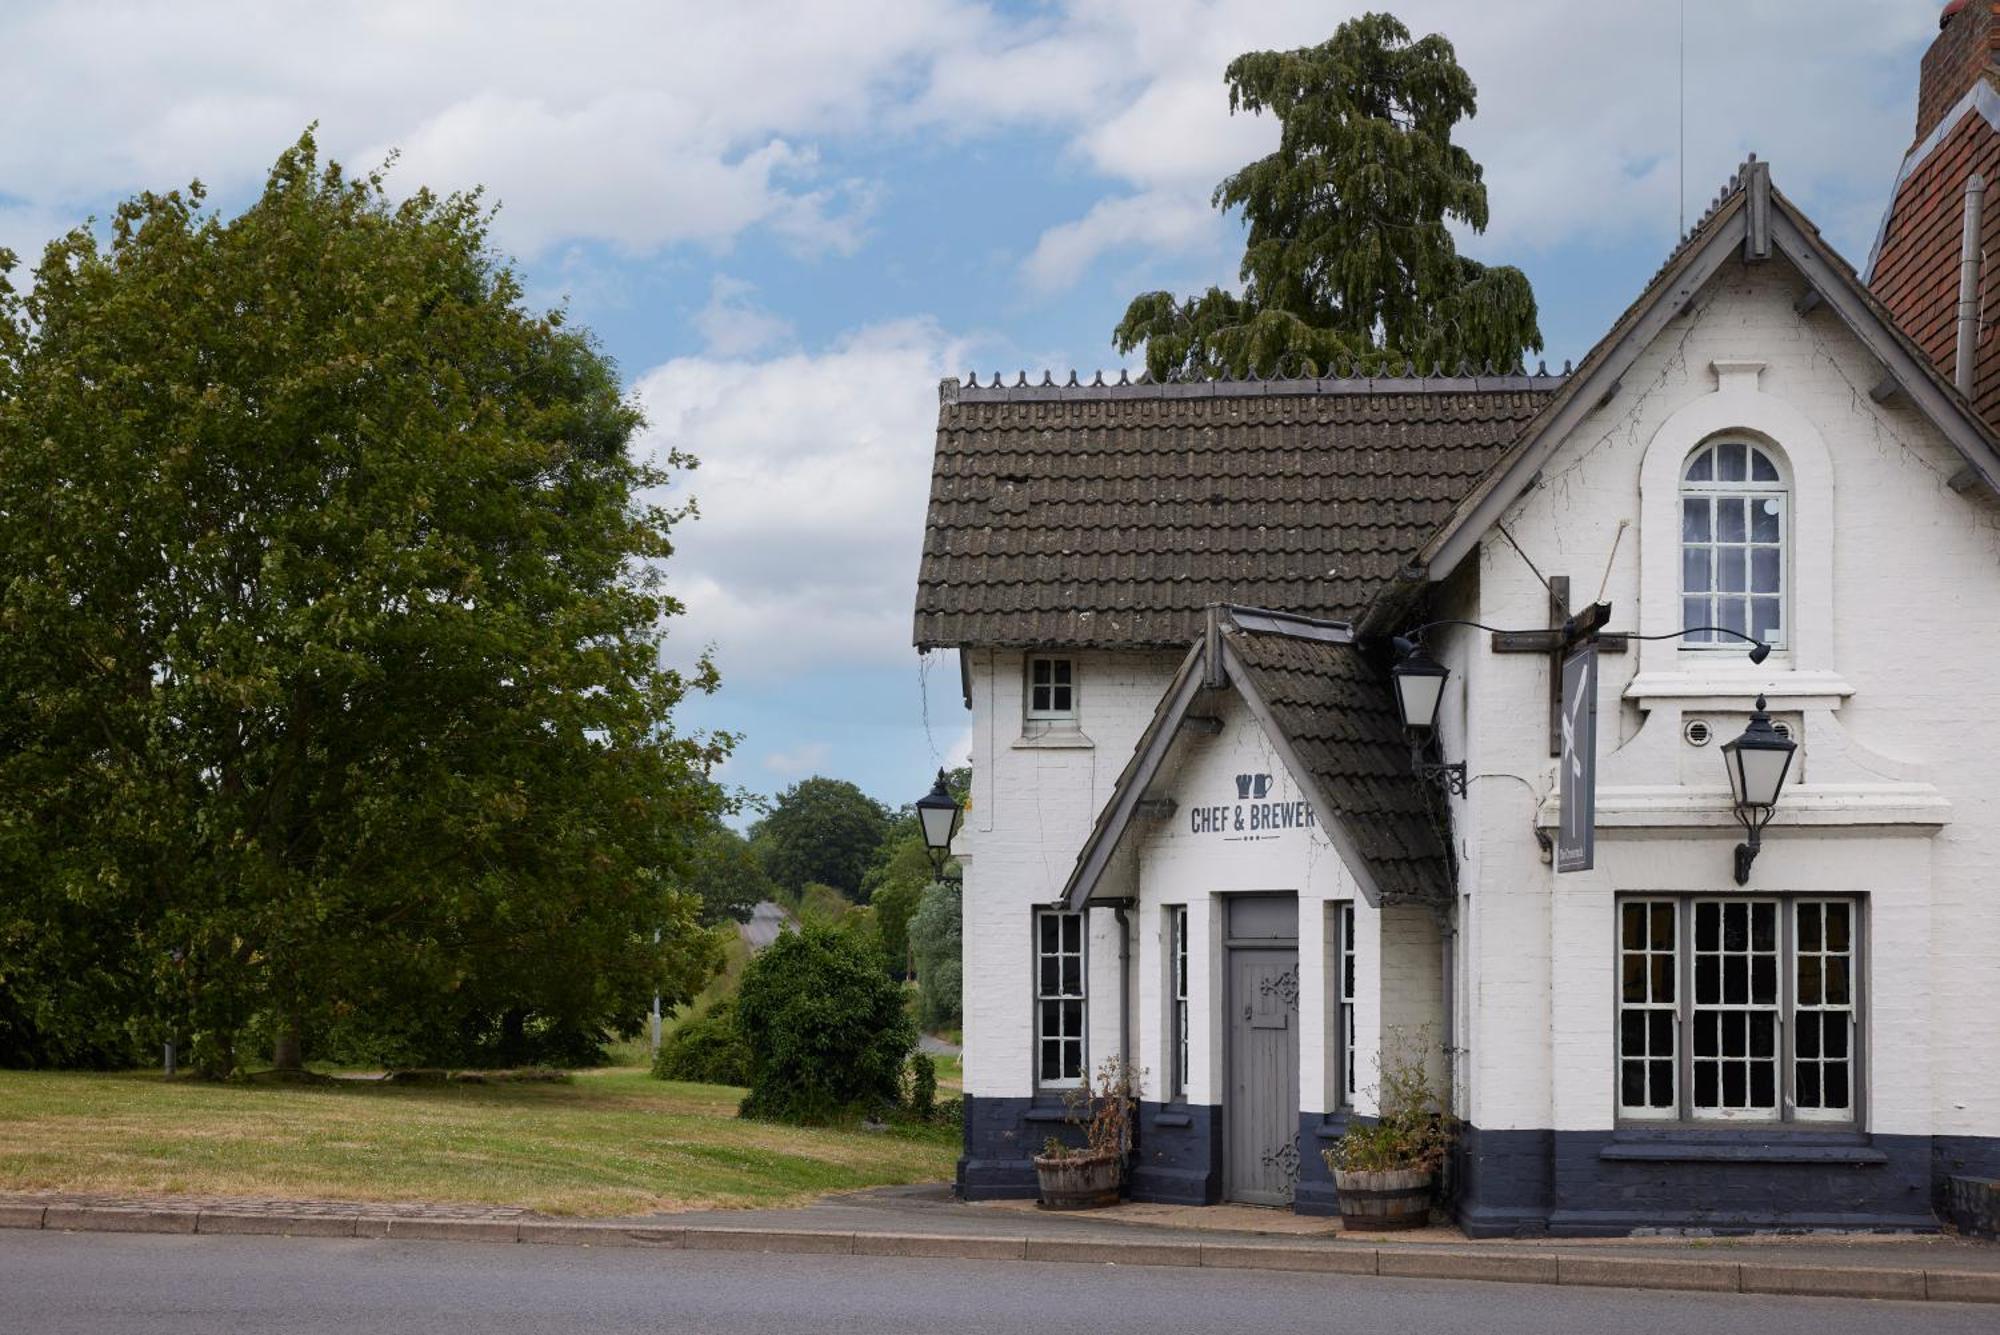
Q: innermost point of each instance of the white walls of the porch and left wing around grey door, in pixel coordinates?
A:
(1033, 806)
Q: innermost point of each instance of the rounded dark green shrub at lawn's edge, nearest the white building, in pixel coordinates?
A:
(823, 1026)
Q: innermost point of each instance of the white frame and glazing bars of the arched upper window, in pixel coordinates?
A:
(1757, 499)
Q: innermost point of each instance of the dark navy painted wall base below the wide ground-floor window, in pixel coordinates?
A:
(1611, 1184)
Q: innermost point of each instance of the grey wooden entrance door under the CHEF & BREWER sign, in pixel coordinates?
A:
(1261, 1118)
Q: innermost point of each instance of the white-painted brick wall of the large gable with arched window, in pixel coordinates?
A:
(1899, 770)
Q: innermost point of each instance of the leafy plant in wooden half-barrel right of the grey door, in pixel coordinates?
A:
(1385, 1170)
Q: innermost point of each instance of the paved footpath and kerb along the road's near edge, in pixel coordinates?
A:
(925, 1222)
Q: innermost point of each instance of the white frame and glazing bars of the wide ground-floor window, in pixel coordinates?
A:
(1699, 988)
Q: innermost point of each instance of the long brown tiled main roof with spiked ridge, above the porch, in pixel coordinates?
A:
(1111, 517)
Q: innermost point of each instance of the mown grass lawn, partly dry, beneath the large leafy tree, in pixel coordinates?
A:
(615, 1142)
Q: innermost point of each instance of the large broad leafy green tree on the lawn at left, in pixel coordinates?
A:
(331, 639)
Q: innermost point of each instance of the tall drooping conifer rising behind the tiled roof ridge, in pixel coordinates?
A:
(1349, 251)
